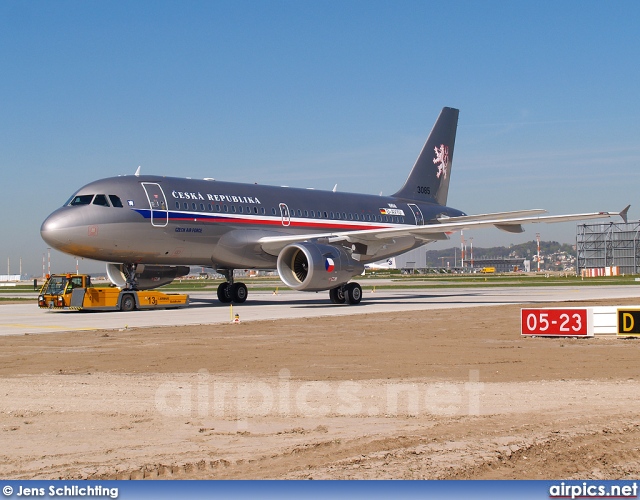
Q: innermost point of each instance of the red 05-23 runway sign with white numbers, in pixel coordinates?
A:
(554, 322)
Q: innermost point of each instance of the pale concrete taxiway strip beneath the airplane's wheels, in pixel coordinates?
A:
(20, 319)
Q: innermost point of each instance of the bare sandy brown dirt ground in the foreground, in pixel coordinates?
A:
(431, 394)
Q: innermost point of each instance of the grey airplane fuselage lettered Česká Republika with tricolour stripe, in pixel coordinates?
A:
(176, 221)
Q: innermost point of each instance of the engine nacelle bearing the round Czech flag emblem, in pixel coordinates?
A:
(313, 267)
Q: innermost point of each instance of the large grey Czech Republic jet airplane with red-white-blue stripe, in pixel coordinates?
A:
(148, 228)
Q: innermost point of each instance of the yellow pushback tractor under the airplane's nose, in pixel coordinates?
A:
(74, 291)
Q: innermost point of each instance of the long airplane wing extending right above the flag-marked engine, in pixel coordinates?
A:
(369, 241)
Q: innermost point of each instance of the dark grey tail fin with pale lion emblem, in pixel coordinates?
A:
(429, 177)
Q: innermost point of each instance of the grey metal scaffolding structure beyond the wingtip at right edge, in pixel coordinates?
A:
(611, 244)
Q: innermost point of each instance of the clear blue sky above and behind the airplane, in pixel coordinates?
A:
(311, 94)
